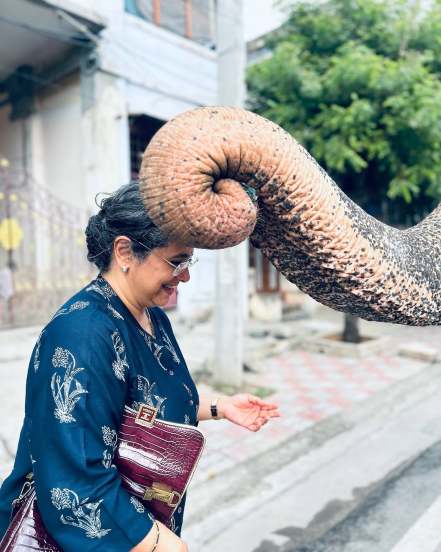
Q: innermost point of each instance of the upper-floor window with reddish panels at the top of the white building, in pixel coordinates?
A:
(194, 19)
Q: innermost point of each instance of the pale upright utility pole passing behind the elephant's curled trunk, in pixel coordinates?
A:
(232, 263)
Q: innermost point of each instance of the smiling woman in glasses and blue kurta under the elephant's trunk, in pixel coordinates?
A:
(108, 346)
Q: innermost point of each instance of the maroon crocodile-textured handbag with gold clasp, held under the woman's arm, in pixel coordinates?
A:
(155, 460)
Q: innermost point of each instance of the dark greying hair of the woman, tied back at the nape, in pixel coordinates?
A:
(121, 213)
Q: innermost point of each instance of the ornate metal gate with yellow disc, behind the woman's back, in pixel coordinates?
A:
(42, 250)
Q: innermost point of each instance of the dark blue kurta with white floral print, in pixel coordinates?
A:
(89, 361)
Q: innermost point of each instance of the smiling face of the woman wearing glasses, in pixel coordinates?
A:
(152, 279)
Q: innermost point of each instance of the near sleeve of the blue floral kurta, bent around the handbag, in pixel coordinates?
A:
(78, 389)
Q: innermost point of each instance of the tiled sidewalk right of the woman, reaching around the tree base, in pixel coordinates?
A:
(307, 386)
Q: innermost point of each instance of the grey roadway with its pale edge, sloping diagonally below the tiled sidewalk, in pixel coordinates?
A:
(357, 482)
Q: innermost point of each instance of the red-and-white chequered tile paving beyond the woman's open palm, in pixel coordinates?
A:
(308, 388)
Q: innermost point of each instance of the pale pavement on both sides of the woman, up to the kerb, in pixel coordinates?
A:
(308, 387)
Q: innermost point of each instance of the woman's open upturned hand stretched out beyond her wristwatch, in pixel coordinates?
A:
(247, 410)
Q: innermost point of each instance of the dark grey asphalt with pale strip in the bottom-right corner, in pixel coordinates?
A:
(401, 515)
